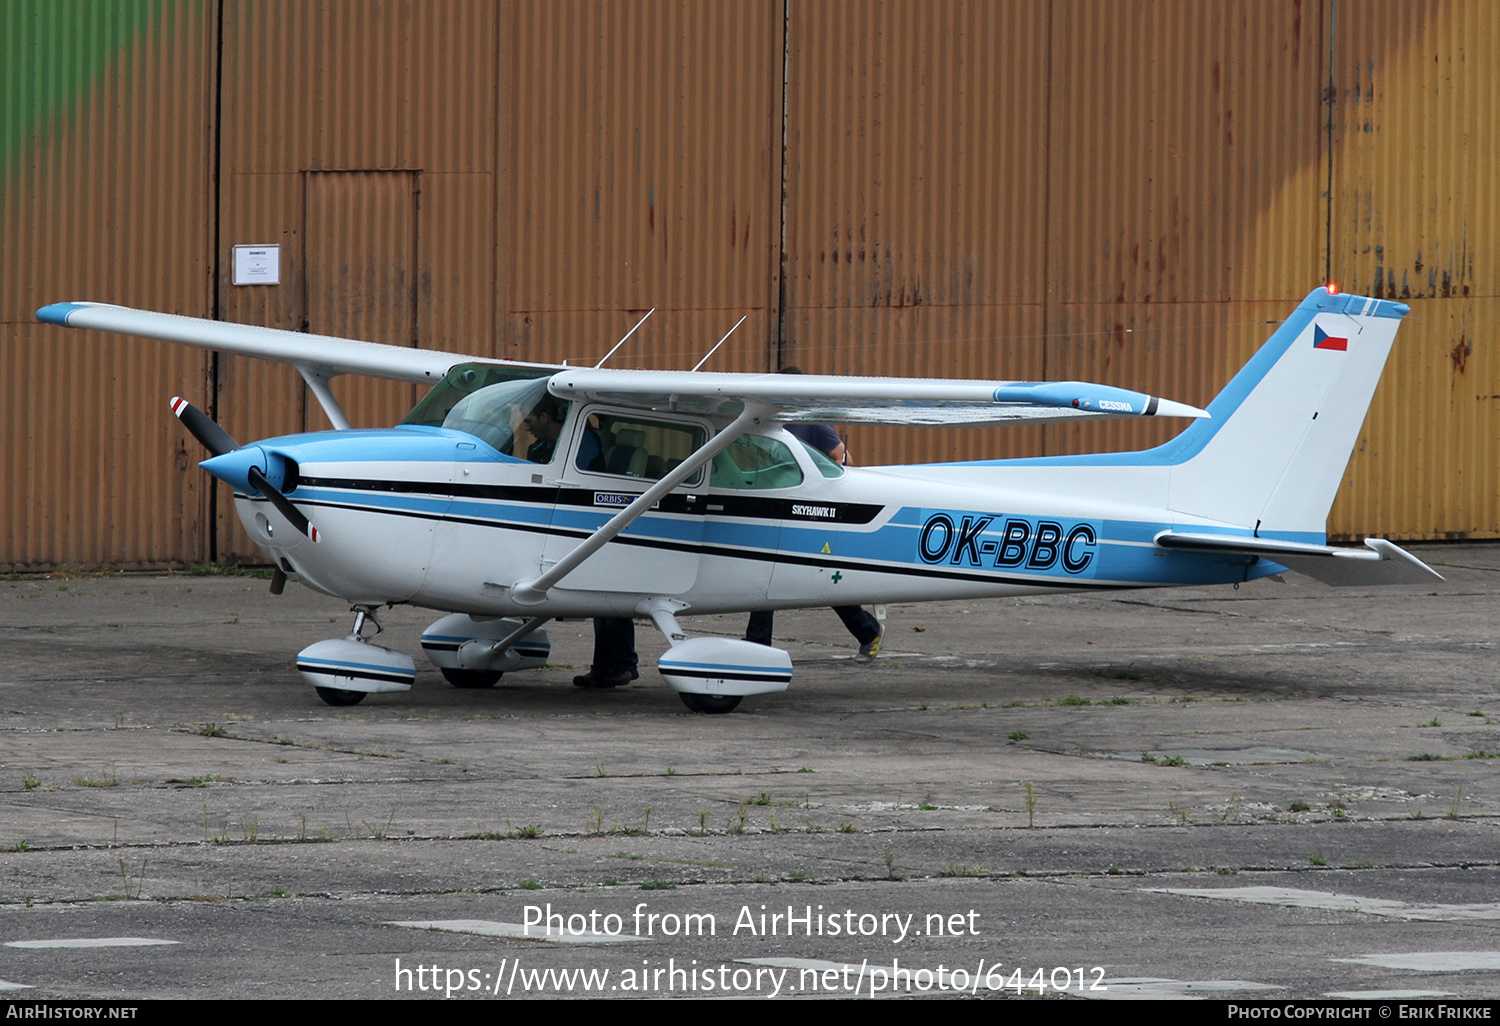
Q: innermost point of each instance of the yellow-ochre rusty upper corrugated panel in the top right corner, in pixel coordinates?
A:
(1417, 200)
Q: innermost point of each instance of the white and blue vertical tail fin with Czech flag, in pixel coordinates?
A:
(1283, 430)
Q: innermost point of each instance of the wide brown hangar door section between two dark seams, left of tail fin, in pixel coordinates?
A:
(1123, 167)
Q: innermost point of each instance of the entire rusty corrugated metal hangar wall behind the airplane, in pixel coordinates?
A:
(1117, 191)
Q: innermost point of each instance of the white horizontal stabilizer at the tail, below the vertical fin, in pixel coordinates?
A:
(1379, 563)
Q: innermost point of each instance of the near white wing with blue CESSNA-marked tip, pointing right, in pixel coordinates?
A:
(863, 401)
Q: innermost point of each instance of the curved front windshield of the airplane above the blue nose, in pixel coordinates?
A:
(494, 404)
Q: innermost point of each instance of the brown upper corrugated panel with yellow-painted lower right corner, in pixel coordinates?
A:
(1186, 151)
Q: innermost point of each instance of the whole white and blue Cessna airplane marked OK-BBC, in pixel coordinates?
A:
(515, 494)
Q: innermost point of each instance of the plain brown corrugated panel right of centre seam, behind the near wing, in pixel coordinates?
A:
(916, 182)
